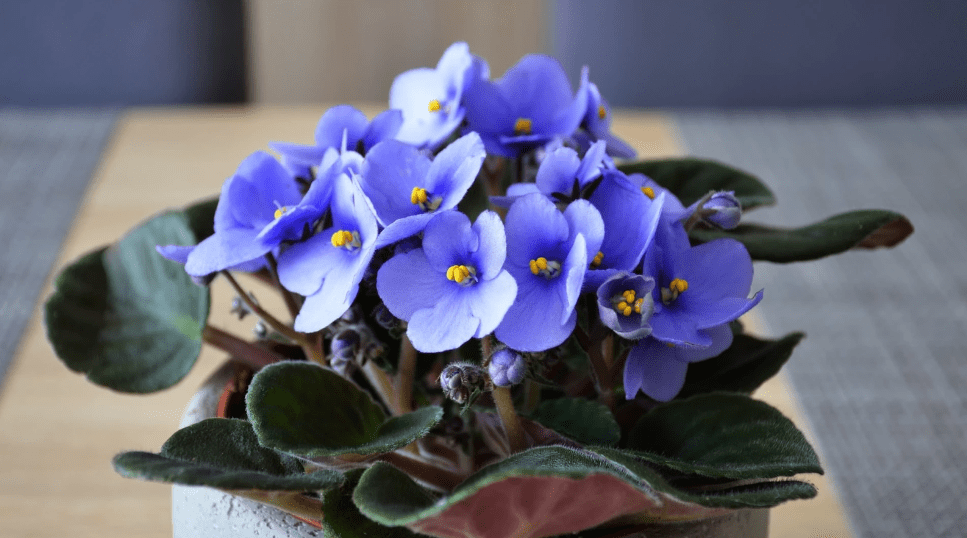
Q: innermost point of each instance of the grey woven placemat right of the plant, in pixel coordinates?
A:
(882, 376)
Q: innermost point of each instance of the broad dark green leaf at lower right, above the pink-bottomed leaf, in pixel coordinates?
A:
(724, 436)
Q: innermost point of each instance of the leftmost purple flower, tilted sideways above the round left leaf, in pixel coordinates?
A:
(251, 219)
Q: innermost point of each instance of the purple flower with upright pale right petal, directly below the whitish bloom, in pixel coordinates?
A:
(407, 189)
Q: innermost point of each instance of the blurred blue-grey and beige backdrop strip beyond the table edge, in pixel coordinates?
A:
(667, 53)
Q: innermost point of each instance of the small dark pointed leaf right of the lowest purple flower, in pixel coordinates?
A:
(746, 365)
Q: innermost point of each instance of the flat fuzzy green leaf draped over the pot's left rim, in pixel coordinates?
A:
(223, 453)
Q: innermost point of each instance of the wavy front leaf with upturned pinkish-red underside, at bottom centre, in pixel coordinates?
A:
(547, 491)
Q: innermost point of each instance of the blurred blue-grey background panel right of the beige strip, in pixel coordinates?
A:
(753, 53)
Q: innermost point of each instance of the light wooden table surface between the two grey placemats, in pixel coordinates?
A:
(58, 432)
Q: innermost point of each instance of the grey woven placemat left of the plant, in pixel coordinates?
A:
(46, 161)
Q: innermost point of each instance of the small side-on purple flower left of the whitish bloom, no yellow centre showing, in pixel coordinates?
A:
(341, 127)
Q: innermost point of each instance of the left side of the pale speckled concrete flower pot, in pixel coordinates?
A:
(200, 512)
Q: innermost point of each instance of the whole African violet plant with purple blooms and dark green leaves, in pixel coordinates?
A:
(484, 304)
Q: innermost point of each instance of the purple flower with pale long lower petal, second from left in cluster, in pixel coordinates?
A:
(327, 267)
